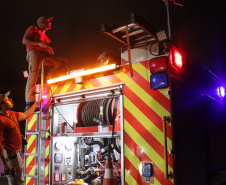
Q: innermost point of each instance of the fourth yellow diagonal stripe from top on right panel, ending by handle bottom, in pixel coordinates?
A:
(149, 151)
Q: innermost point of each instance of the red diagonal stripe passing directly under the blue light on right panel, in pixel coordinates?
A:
(145, 85)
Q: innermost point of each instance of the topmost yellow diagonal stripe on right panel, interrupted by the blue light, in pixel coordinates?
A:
(138, 67)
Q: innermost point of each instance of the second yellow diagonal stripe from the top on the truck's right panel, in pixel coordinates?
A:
(146, 98)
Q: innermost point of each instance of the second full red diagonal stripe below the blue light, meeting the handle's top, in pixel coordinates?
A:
(146, 110)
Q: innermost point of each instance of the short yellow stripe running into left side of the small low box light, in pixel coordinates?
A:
(136, 162)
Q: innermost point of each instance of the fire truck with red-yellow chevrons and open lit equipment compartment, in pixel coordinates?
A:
(150, 114)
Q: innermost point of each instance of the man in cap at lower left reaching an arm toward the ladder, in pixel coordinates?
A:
(11, 138)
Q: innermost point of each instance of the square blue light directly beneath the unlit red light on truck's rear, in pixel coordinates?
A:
(159, 81)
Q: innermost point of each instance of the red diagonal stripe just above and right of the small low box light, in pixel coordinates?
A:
(159, 175)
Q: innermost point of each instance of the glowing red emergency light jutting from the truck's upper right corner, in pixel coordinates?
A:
(175, 58)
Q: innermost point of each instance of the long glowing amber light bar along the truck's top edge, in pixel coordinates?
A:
(82, 73)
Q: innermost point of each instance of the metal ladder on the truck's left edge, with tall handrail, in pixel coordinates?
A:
(34, 164)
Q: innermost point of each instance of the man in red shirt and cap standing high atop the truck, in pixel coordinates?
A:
(39, 47)
